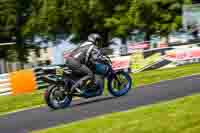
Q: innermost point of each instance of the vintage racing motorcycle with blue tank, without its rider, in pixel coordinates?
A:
(61, 79)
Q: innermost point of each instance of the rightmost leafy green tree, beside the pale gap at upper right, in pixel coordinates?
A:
(152, 16)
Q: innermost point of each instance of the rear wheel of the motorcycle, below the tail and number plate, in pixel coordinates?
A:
(57, 99)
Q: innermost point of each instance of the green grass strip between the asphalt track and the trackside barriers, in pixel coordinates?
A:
(13, 103)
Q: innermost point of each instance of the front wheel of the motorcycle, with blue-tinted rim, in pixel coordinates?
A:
(119, 84)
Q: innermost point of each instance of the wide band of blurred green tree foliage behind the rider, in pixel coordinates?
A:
(109, 18)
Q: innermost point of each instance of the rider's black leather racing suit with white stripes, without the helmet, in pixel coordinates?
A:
(81, 61)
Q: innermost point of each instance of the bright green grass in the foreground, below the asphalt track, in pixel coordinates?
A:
(178, 116)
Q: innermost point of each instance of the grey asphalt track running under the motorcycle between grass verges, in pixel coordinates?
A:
(39, 118)
